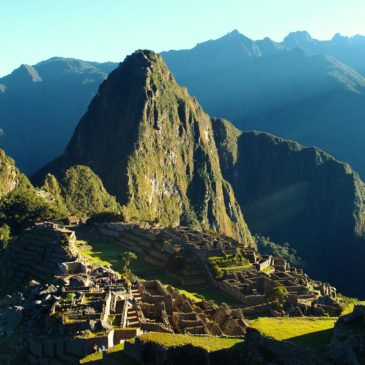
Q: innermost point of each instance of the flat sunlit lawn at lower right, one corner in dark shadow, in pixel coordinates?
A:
(314, 332)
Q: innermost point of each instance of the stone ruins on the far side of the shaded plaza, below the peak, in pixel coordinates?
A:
(250, 285)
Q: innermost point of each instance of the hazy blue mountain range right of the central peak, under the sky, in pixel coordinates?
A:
(288, 91)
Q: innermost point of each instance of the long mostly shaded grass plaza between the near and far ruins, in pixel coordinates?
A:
(107, 254)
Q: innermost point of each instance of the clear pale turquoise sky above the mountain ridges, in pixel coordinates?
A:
(108, 30)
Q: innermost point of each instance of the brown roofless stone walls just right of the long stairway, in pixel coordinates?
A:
(165, 309)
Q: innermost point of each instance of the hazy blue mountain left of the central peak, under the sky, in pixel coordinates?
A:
(40, 106)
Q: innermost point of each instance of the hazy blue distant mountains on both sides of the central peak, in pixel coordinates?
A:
(304, 89)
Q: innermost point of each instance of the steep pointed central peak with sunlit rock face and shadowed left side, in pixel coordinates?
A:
(153, 147)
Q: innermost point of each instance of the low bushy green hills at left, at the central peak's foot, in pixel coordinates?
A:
(79, 192)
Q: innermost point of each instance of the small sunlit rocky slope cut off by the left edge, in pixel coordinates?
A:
(10, 177)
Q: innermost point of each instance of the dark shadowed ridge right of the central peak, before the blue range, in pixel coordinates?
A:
(299, 195)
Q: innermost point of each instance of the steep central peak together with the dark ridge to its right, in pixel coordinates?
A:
(166, 161)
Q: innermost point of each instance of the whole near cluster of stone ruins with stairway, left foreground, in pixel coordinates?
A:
(109, 310)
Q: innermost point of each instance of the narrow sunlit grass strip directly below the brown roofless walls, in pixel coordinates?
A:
(208, 343)
